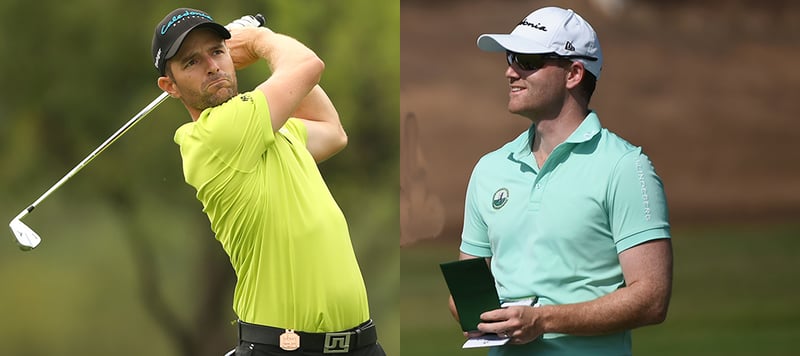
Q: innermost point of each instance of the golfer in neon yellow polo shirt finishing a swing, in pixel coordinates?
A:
(253, 159)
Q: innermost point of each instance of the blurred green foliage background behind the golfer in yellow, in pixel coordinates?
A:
(128, 265)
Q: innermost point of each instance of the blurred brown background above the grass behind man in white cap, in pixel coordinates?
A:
(709, 89)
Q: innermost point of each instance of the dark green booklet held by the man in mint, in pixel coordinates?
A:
(472, 286)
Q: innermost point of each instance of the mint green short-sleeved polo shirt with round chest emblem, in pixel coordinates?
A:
(556, 231)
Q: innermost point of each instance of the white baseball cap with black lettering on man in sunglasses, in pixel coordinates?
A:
(550, 30)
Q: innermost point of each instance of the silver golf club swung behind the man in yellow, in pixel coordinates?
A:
(29, 239)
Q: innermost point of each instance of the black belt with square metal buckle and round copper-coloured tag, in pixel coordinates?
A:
(327, 343)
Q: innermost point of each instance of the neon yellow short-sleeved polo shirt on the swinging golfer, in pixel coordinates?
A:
(269, 207)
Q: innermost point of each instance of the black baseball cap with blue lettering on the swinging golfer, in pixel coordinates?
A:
(172, 30)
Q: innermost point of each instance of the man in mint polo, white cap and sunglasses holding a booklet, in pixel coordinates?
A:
(567, 212)
